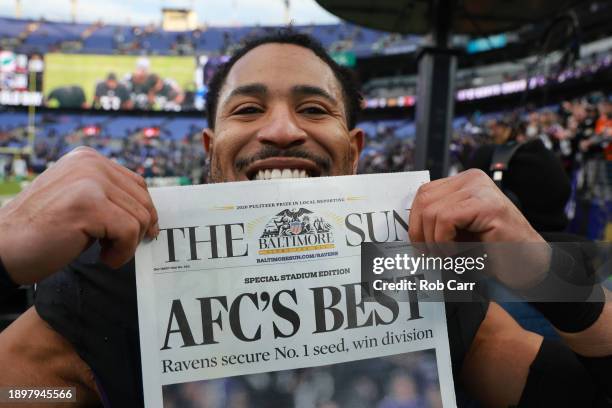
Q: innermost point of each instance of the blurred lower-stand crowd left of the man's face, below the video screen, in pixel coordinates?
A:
(152, 147)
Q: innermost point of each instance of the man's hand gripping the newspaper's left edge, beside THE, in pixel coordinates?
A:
(84, 197)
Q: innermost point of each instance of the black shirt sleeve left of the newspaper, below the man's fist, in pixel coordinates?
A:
(94, 308)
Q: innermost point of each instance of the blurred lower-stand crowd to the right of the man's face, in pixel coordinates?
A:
(578, 131)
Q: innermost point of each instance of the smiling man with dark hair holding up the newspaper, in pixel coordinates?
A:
(279, 108)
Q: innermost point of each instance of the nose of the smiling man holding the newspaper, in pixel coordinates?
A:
(281, 130)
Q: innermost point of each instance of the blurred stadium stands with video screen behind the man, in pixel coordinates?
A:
(136, 93)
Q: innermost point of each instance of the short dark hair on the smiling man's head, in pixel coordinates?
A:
(352, 97)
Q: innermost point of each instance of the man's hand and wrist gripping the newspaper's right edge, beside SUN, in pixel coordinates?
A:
(468, 207)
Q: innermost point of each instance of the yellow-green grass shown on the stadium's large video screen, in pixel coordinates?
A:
(86, 70)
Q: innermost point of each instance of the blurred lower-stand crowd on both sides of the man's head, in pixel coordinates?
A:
(578, 131)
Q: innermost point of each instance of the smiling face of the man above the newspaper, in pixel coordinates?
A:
(281, 114)
